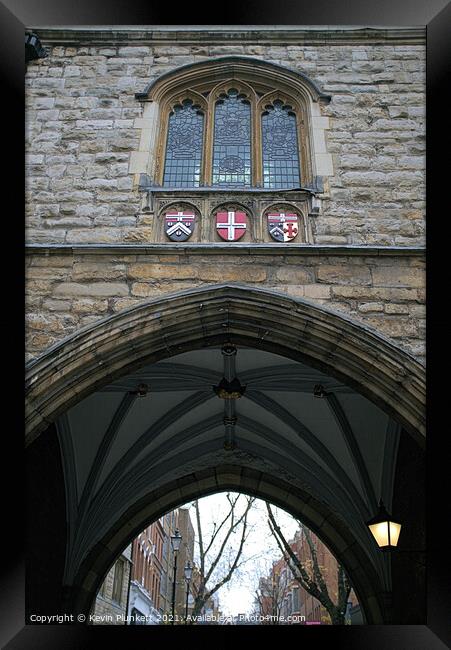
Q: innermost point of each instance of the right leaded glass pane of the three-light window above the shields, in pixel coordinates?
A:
(280, 147)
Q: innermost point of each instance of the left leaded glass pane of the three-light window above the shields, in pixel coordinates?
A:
(184, 146)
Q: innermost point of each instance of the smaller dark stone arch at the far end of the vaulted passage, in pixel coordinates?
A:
(318, 518)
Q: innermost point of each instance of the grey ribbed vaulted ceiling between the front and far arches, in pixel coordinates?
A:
(165, 421)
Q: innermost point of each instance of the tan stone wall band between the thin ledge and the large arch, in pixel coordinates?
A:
(67, 291)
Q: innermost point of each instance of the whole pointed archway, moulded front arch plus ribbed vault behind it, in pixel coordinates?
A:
(129, 459)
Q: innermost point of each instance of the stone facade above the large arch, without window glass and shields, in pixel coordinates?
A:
(97, 113)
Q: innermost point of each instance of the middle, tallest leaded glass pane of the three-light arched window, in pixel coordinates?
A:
(232, 141)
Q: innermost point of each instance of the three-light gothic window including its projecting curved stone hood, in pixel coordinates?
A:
(234, 123)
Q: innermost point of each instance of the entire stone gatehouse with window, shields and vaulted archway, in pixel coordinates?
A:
(199, 198)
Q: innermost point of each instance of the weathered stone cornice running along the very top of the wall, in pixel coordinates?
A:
(208, 35)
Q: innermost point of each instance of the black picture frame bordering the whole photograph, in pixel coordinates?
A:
(15, 16)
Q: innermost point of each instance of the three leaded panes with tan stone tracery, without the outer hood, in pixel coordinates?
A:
(233, 136)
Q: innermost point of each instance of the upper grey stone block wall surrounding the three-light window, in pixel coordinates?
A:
(83, 124)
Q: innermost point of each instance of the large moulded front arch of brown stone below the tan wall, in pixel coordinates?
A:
(296, 328)
